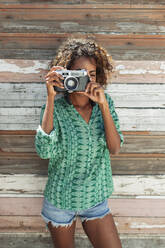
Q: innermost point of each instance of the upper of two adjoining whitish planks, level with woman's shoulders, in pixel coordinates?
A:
(128, 95)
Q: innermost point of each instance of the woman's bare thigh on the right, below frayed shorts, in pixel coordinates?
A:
(102, 232)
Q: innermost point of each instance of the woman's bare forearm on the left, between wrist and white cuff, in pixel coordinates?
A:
(47, 121)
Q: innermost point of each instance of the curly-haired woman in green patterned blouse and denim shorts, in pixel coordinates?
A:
(77, 133)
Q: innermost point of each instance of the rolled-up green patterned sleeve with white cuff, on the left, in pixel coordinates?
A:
(47, 145)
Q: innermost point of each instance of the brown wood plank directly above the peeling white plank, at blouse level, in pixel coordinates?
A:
(128, 165)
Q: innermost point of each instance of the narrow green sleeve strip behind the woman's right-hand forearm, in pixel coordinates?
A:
(115, 118)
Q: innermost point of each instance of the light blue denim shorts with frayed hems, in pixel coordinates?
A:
(63, 217)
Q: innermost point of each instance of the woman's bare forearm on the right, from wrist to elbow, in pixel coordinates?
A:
(112, 136)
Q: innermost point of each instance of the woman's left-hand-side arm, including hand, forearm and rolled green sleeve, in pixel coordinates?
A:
(46, 140)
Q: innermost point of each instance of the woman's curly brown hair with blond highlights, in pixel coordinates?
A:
(75, 48)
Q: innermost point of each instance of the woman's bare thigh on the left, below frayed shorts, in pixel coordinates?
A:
(62, 236)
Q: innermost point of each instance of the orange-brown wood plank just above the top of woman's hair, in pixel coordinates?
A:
(52, 41)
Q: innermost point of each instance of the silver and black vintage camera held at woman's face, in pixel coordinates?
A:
(74, 80)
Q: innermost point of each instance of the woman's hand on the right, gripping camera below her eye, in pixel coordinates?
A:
(96, 93)
